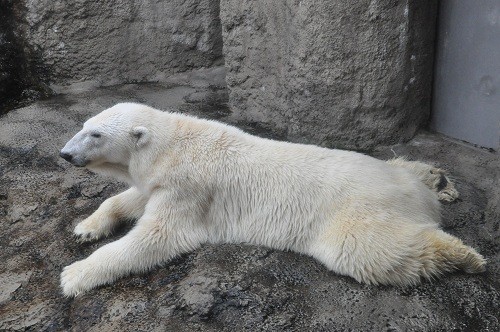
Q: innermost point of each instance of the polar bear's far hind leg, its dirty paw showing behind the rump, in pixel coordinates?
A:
(434, 178)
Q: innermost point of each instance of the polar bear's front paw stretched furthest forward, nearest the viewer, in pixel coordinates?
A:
(74, 280)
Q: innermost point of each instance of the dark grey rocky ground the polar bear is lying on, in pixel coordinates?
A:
(232, 287)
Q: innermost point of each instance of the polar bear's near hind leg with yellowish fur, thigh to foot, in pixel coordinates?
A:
(393, 253)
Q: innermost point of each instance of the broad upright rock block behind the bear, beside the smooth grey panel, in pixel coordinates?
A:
(337, 73)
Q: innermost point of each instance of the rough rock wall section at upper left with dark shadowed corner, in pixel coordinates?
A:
(55, 45)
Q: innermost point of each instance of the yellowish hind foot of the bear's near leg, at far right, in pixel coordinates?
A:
(446, 253)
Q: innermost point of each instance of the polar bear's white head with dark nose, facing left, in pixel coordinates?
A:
(109, 138)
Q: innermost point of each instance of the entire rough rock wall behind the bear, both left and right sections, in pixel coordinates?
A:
(347, 74)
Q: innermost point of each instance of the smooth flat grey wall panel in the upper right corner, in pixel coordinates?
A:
(466, 102)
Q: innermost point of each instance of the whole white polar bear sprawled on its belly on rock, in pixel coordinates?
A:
(196, 181)
